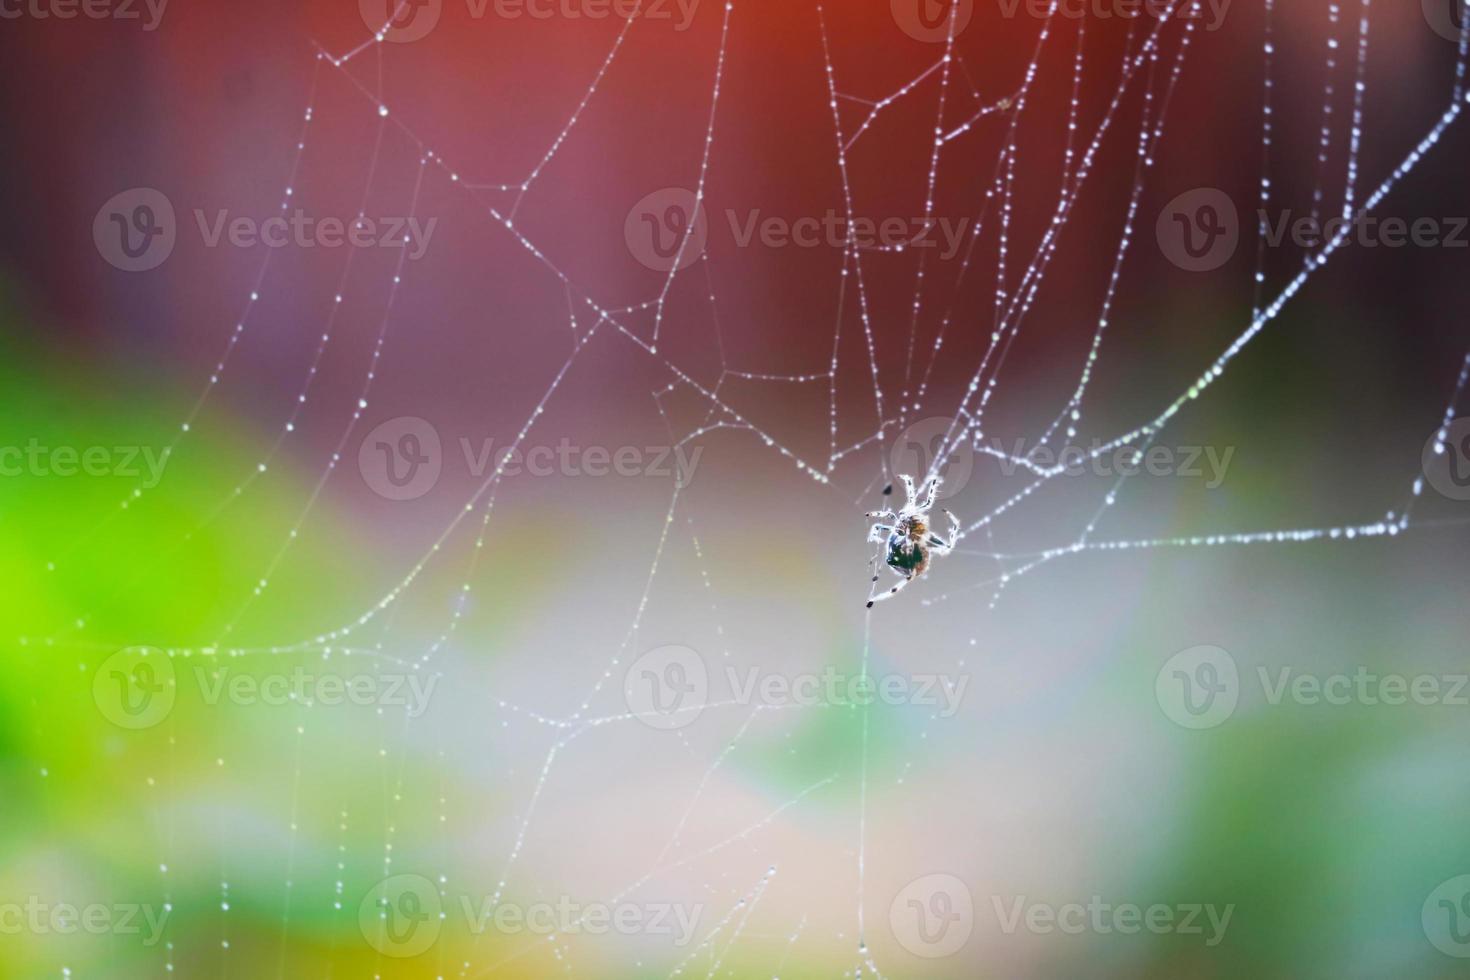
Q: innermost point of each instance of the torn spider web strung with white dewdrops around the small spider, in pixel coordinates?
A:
(964, 333)
